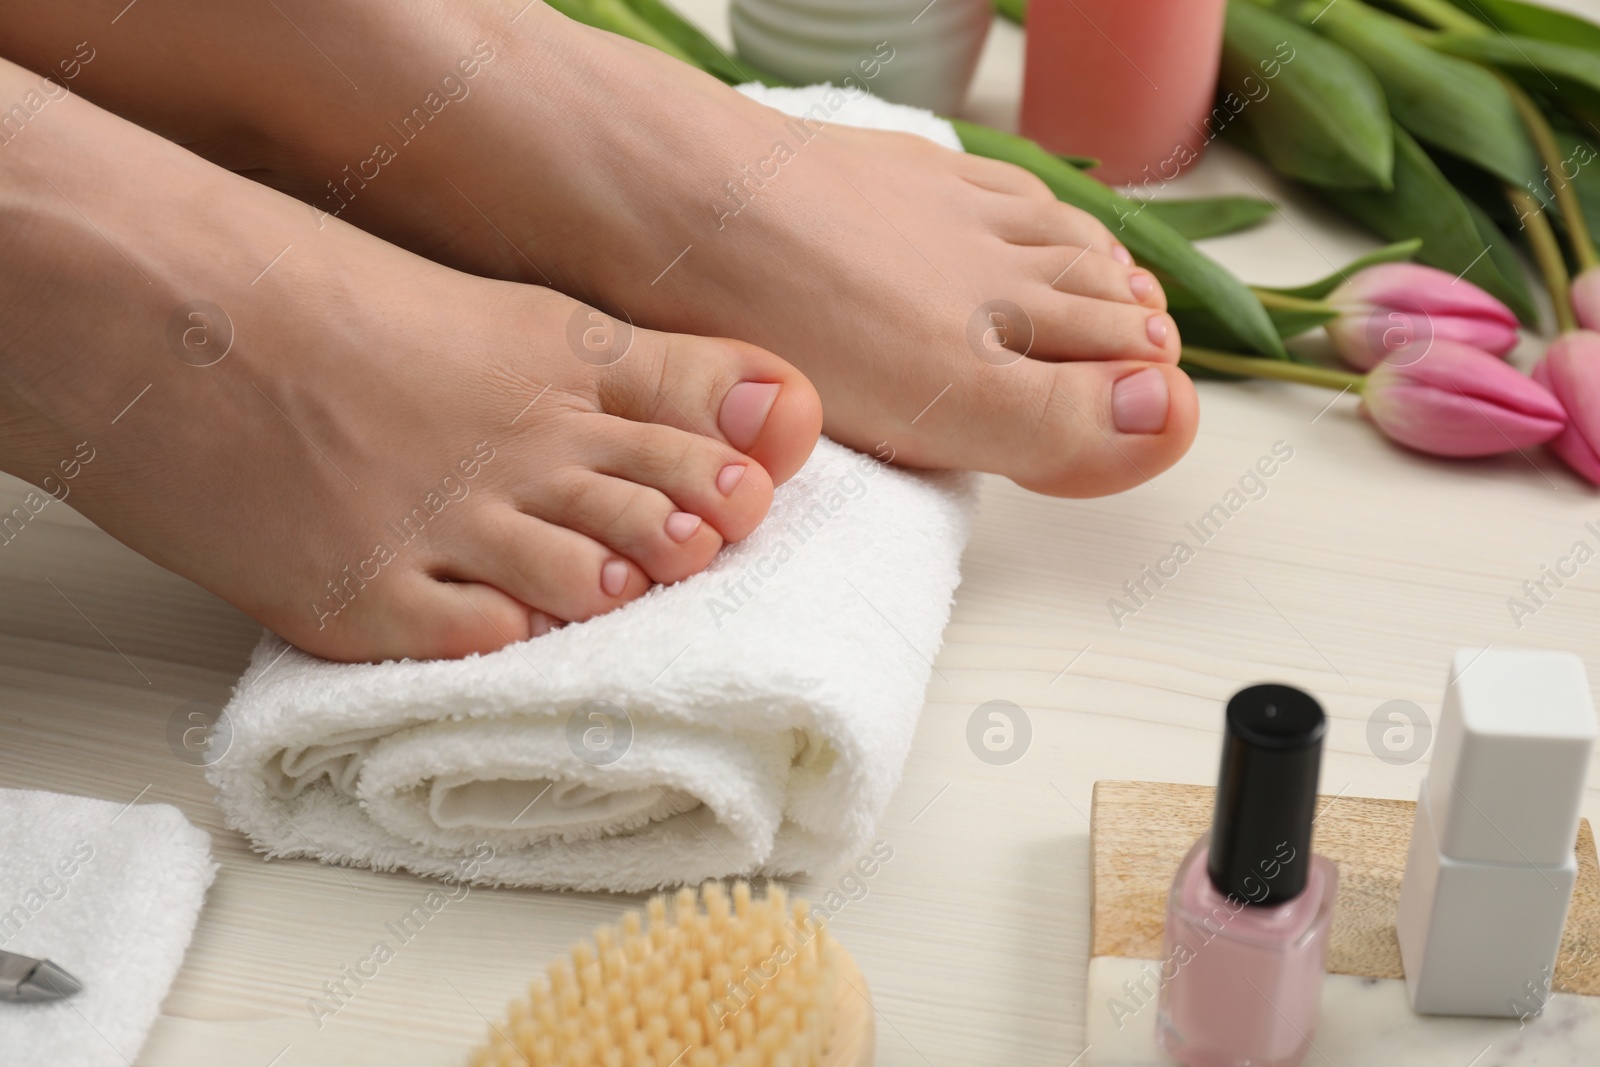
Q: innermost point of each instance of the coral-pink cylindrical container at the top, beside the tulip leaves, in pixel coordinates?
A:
(1129, 82)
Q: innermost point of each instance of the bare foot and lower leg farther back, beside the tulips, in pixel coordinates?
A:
(513, 143)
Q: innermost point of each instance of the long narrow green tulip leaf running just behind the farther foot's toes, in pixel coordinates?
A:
(1156, 244)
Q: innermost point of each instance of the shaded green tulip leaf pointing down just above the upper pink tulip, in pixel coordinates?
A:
(1423, 204)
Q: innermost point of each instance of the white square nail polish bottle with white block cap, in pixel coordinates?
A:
(1492, 869)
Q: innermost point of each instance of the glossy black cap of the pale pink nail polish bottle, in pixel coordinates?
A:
(1266, 796)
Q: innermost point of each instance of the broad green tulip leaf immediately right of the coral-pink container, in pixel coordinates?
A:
(1322, 118)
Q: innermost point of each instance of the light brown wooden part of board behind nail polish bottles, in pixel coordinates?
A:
(1142, 831)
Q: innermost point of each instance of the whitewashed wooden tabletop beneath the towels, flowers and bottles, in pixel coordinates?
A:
(1356, 577)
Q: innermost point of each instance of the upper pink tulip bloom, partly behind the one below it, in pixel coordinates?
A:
(1396, 305)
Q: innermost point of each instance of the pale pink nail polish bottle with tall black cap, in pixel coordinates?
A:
(1249, 913)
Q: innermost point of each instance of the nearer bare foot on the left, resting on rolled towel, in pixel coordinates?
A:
(374, 455)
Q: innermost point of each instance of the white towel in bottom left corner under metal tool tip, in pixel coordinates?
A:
(110, 893)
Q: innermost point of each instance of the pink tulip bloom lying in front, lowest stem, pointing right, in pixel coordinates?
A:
(1450, 399)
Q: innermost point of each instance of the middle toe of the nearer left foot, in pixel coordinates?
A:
(636, 522)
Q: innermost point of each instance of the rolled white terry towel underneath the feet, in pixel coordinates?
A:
(759, 714)
